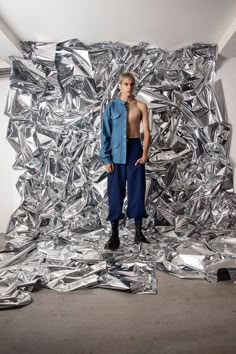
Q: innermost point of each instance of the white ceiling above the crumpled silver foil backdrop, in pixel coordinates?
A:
(169, 24)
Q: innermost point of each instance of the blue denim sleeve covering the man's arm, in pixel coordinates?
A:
(106, 131)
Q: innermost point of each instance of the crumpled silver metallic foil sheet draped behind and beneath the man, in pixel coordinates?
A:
(56, 236)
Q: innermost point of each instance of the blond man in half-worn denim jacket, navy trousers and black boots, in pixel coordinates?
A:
(124, 158)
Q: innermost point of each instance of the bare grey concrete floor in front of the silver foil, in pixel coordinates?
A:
(187, 316)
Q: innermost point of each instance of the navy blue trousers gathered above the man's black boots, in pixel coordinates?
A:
(136, 185)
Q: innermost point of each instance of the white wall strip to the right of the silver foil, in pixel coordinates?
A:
(226, 92)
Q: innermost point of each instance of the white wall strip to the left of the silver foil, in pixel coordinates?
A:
(9, 197)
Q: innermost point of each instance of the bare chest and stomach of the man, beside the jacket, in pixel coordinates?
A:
(134, 119)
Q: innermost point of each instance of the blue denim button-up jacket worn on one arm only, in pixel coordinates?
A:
(114, 132)
